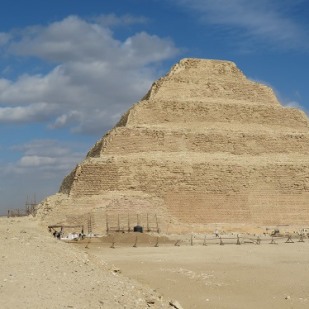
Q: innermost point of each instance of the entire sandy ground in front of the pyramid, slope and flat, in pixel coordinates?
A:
(39, 271)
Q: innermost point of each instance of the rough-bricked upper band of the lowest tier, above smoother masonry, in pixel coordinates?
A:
(158, 172)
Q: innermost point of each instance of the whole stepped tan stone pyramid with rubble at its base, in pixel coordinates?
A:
(205, 145)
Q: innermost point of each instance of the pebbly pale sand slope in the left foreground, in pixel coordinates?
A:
(38, 271)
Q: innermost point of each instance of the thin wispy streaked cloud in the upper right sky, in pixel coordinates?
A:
(262, 21)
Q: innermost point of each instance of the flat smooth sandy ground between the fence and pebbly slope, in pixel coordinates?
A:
(230, 276)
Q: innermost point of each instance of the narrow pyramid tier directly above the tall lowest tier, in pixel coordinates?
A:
(124, 140)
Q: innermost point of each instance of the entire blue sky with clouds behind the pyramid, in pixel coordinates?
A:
(70, 68)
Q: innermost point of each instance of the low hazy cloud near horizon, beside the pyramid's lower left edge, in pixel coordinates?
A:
(40, 169)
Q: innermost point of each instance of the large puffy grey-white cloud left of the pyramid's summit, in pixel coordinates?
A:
(94, 76)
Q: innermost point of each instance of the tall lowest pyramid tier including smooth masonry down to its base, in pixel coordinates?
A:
(204, 188)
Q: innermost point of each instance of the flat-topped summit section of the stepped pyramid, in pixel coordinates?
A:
(196, 79)
